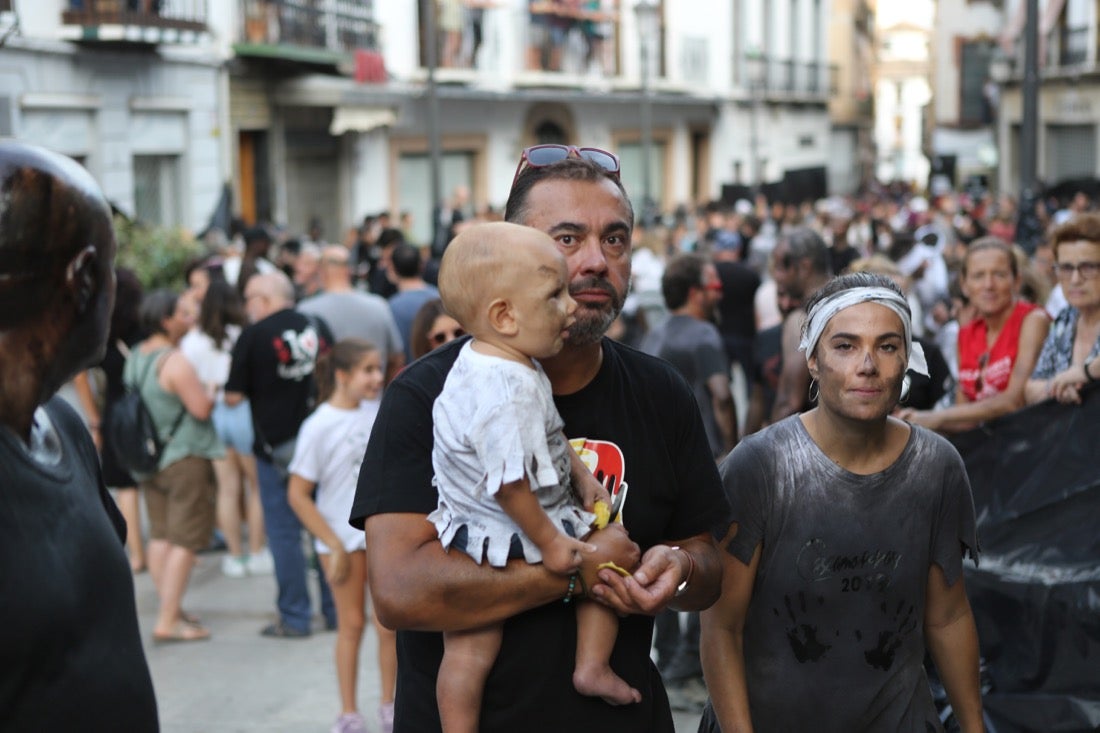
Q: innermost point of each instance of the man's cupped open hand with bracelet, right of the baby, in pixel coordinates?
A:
(650, 589)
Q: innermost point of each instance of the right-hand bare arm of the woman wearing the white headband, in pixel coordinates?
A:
(953, 641)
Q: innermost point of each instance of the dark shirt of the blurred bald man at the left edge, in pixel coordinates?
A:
(71, 655)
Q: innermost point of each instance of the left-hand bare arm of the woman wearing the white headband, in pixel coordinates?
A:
(722, 644)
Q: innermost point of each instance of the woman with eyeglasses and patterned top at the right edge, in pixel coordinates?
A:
(1069, 360)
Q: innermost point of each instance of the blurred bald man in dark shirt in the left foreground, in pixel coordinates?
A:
(71, 654)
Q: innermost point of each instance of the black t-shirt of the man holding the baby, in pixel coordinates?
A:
(637, 421)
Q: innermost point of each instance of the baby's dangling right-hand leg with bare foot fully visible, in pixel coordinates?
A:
(597, 629)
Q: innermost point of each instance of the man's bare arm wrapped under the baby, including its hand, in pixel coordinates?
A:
(417, 585)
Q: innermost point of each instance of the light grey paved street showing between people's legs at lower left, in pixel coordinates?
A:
(243, 683)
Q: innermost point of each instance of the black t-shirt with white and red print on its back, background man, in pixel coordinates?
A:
(273, 366)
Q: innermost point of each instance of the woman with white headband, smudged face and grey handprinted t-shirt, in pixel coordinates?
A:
(845, 561)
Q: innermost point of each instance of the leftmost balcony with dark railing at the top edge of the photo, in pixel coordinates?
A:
(135, 23)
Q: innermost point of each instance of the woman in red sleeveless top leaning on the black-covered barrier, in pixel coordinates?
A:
(998, 349)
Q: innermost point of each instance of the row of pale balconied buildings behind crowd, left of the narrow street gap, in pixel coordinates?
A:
(316, 113)
